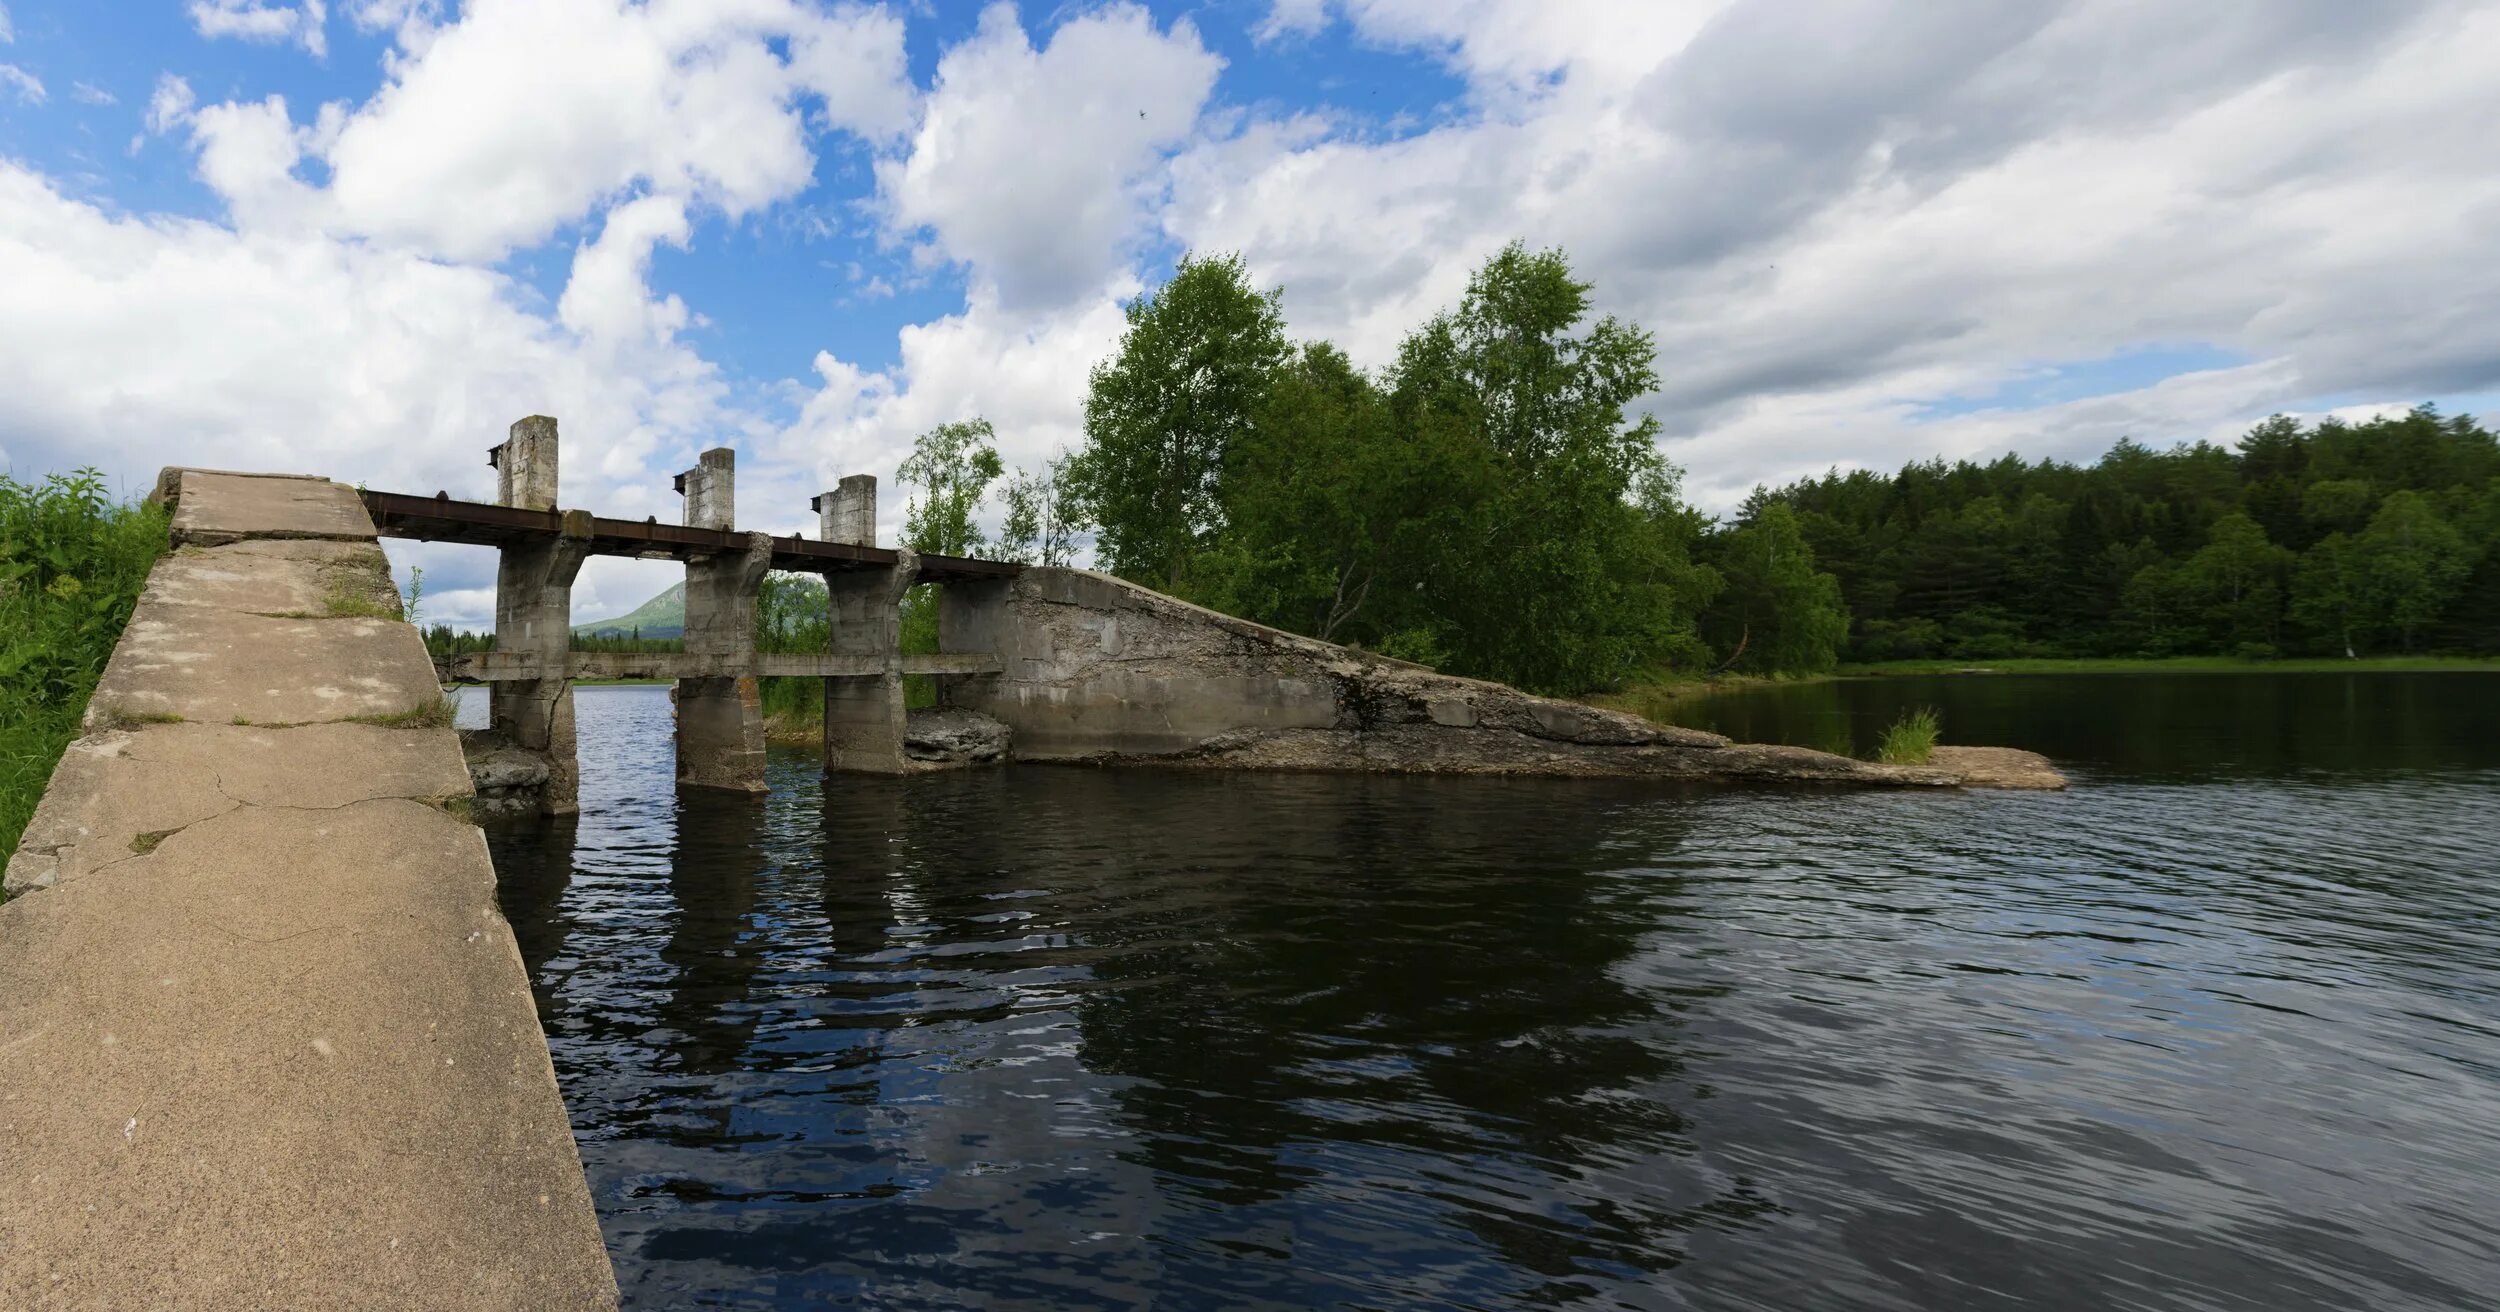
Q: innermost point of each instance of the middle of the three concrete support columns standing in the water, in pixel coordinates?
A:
(721, 723)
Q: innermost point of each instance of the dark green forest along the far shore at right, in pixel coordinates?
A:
(2326, 539)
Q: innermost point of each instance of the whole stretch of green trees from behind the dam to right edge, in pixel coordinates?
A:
(1494, 506)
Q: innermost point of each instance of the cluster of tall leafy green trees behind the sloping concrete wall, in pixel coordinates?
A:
(1486, 506)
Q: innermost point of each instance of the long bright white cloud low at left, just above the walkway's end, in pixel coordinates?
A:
(269, 351)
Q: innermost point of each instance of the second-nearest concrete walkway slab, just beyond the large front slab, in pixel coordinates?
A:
(119, 793)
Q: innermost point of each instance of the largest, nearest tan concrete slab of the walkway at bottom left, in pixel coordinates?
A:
(284, 1061)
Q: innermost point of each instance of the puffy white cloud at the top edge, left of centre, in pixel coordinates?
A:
(524, 114)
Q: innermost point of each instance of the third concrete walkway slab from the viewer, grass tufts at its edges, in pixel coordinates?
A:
(216, 666)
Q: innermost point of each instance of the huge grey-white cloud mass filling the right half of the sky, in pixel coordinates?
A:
(1831, 211)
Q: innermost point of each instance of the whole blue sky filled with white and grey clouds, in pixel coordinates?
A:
(364, 236)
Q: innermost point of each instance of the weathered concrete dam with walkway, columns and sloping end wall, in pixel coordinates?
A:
(269, 1038)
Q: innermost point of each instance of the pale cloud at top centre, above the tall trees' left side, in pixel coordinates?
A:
(1034, 169)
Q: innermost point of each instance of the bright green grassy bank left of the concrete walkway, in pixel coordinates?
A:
(71, 569)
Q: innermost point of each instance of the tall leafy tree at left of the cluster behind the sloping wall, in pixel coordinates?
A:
(1164, 414)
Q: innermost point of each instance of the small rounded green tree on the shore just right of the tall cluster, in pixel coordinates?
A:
(1779, 614)
